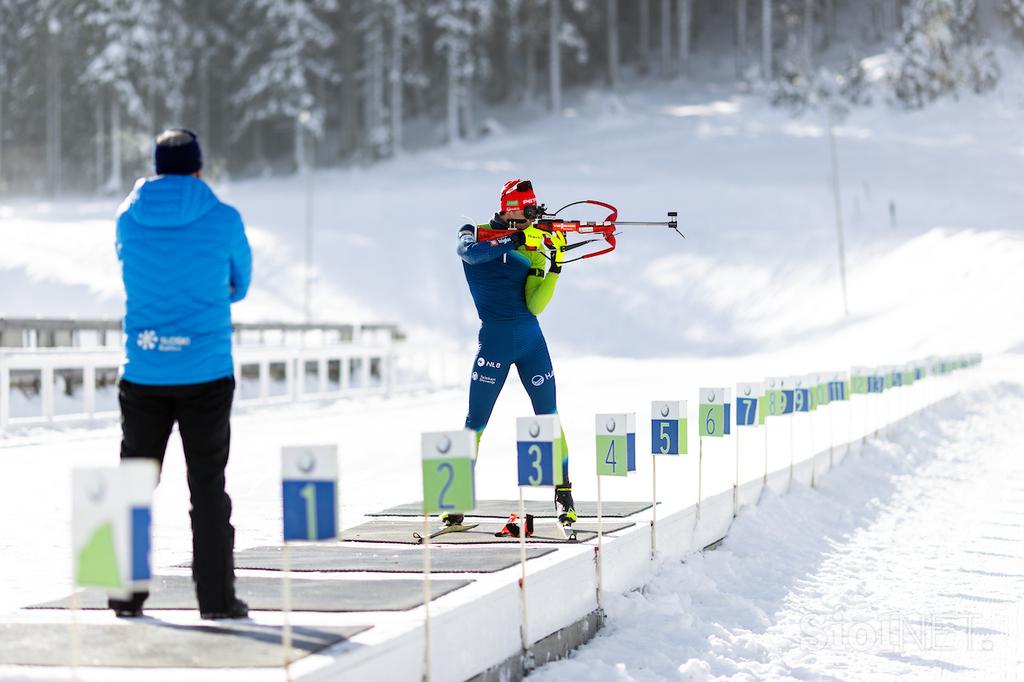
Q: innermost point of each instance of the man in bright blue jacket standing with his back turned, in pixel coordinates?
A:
(185, 260)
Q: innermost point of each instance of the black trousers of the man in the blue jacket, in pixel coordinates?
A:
(203, 413)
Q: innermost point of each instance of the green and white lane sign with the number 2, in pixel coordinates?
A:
(448, 472)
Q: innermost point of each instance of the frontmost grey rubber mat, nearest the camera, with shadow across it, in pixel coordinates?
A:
(151, 644)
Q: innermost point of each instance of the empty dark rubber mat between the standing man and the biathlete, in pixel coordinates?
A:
(352, 559)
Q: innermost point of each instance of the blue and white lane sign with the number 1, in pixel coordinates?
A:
(310, 492)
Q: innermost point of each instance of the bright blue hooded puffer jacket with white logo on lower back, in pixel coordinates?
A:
(185, 260)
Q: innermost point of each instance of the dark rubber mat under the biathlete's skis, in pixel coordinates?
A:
(382, 531)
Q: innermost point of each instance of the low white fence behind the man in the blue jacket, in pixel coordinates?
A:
(45, 387)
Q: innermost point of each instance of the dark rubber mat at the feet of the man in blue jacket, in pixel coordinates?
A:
(265, 594)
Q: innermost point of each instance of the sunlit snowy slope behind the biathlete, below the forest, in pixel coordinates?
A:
(758, 271)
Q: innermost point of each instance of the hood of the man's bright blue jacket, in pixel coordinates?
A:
(168, 201)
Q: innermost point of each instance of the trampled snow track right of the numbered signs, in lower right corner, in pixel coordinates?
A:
(906, 563)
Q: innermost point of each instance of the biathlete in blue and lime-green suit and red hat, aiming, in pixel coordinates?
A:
(511, 283)
